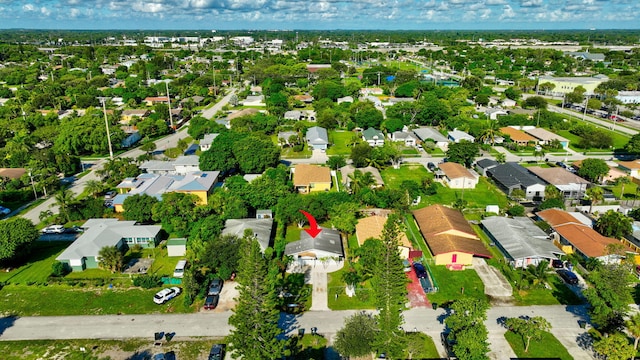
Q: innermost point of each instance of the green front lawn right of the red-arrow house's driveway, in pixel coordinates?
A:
(335, 286)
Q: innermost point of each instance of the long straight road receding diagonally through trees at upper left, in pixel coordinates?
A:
(167, 142)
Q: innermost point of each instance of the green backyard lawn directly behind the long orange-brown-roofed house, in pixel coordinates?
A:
(484, 194)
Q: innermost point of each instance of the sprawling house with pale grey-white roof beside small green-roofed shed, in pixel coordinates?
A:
(83, 253)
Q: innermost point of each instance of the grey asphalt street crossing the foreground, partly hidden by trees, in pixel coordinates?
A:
(564, 321)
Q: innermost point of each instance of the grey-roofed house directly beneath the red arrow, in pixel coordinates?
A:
(327, 244)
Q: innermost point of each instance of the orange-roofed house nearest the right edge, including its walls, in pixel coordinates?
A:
(572, 236)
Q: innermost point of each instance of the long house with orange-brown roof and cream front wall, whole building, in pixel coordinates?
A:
(449, 236)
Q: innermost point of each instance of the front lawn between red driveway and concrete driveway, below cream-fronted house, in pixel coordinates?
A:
(450, 284)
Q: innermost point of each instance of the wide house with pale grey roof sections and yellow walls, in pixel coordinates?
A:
(199, 183)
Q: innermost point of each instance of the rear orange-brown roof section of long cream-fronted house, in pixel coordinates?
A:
(436, 219)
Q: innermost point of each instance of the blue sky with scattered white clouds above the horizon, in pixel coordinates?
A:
(320, 14)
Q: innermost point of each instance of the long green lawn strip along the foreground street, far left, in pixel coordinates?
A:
(42, 300)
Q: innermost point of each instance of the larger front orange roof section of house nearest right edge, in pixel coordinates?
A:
(586, 240)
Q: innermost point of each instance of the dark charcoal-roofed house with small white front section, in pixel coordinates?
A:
(511, 176)
